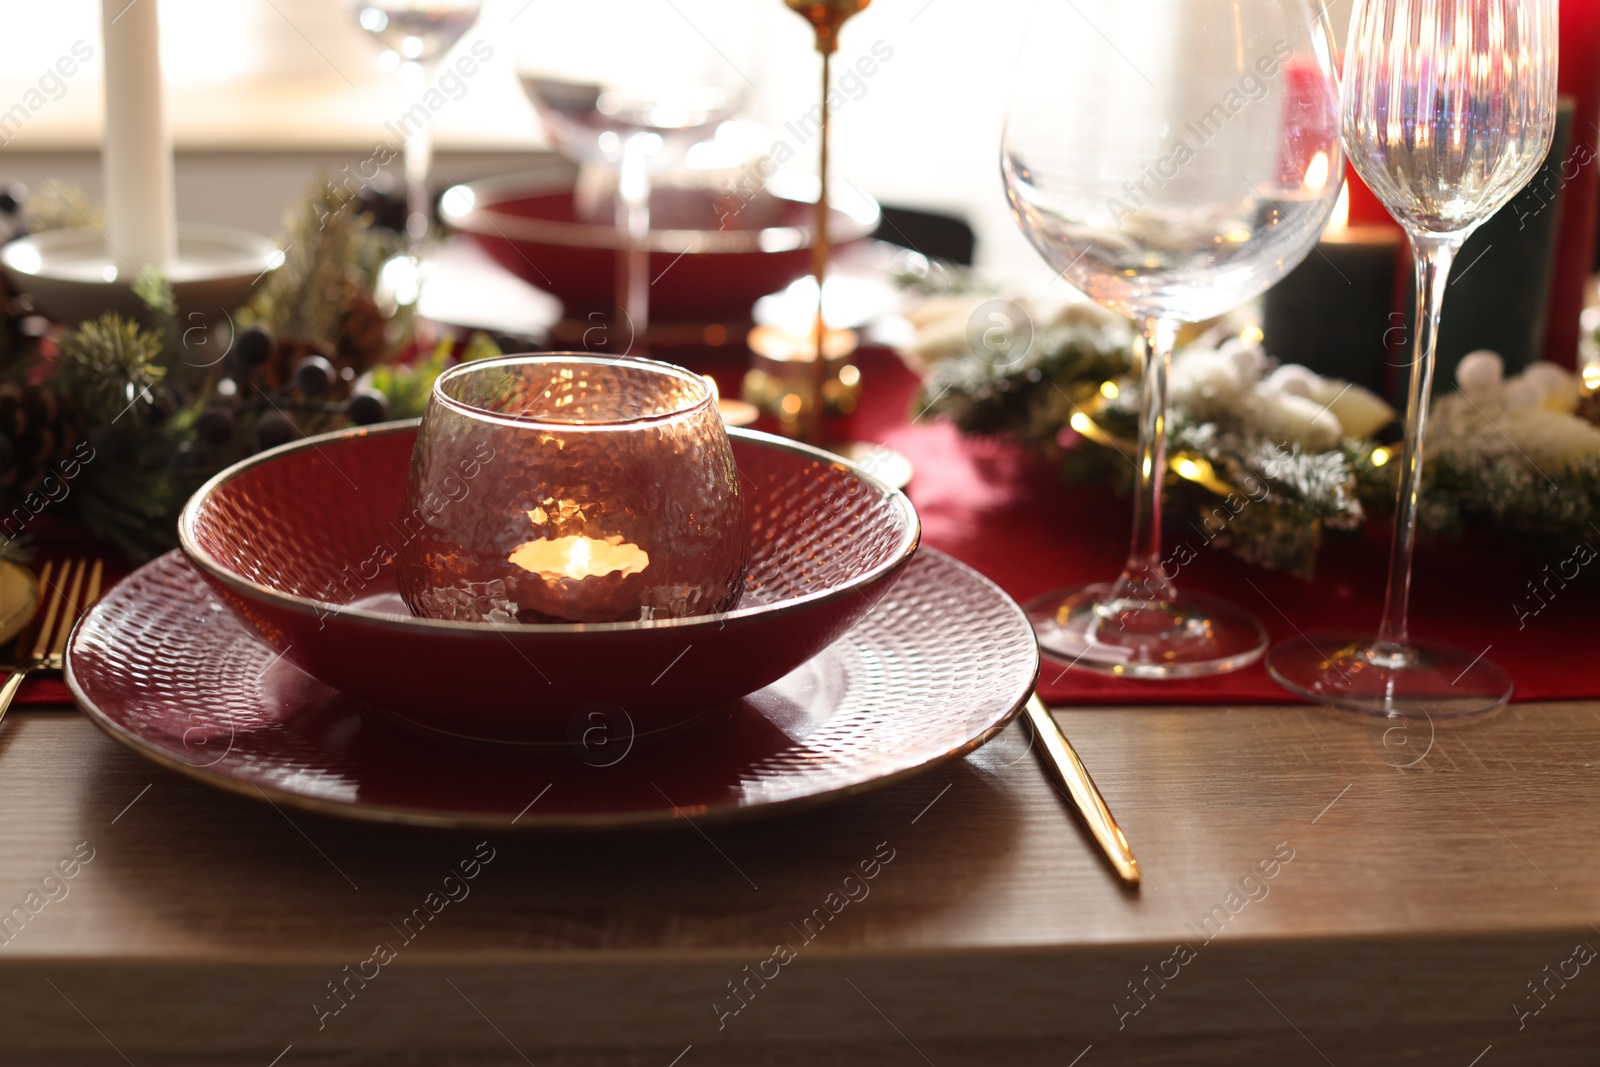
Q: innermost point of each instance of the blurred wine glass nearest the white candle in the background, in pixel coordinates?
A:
(415, 36)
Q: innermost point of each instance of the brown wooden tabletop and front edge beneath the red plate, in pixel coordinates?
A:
(1418, 887)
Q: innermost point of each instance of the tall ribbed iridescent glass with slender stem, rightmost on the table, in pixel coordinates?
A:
(1449, 111)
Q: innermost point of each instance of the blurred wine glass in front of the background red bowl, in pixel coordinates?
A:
(630, 86)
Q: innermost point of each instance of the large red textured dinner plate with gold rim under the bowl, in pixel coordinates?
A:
(934, 671)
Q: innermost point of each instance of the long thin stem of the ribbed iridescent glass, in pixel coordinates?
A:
(1434, 255)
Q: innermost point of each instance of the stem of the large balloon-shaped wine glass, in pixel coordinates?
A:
(1143, 578)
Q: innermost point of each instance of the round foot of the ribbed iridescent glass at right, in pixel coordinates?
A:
(1433, 682)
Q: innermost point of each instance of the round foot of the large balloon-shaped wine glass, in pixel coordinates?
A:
(1191, 637)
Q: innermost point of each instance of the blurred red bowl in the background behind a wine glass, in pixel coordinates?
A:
(713, 255)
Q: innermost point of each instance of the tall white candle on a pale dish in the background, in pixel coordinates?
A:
(137, 154)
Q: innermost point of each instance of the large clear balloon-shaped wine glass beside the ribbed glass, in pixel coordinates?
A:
(1172, 159)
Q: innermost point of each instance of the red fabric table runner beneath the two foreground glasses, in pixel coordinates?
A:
(1009, 514)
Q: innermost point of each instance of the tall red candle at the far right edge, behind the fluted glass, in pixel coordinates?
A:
(1575, 244)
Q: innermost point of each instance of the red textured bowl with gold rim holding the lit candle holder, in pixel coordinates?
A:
(302, 543)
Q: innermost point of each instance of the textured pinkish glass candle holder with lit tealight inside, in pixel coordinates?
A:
(572, 489)
